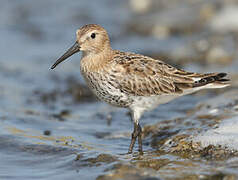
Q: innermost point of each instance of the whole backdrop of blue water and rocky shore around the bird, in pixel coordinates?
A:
(52, 127)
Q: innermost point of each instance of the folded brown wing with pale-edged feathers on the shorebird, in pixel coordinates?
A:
(143, 76)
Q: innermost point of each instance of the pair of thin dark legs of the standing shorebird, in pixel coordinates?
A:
(136, 133)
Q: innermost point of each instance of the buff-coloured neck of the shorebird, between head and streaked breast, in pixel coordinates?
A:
(91, 62)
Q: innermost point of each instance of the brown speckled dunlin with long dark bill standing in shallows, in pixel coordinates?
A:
(131, 80)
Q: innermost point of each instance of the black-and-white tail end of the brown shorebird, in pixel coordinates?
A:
(214, 80)
